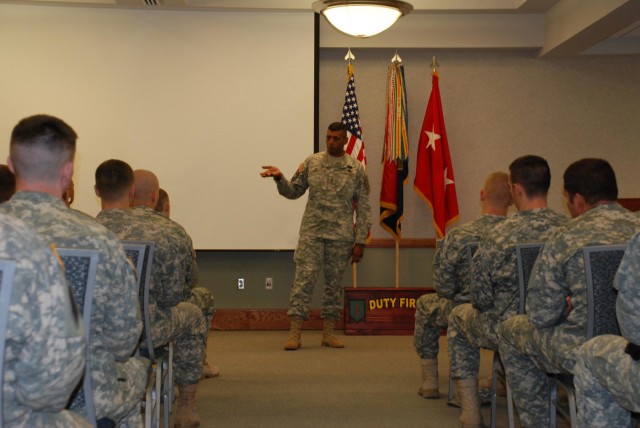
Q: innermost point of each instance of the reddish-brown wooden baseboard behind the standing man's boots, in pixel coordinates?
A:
(263, 319)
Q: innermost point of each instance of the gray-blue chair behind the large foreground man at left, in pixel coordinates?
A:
(80, 270)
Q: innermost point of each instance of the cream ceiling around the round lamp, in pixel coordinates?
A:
(558, 28)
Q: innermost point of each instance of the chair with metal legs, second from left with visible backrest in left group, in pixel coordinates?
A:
(160, 384)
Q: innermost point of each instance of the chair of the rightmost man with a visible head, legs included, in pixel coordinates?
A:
(601, 263)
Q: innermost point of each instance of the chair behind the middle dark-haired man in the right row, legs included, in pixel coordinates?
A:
(526, 256)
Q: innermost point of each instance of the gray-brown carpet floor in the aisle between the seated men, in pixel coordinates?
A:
(372, 382)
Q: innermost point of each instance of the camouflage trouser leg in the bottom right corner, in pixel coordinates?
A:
(607, 383)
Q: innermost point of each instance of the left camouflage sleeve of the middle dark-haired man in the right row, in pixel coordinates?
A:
(483, 264)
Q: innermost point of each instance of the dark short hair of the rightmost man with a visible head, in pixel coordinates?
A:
(593, 178)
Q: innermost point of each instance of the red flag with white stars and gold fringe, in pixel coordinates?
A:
(434, 180)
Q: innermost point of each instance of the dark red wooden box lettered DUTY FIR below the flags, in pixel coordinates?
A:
(383, 311)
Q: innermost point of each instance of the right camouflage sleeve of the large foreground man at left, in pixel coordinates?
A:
(122, 322)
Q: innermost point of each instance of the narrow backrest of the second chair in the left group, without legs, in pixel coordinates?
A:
(141, 253)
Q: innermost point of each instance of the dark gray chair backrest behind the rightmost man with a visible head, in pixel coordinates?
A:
(601, 263)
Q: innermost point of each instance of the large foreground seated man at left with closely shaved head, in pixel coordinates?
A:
(41, 156)
